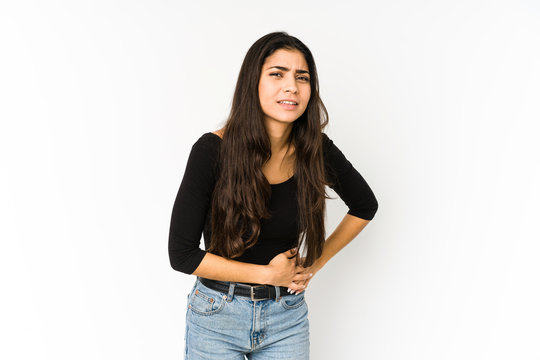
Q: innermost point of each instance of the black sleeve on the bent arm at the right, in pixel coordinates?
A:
(347, 182)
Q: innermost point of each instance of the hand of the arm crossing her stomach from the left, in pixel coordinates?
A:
(284, 271)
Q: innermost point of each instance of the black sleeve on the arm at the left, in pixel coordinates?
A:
(191, 208)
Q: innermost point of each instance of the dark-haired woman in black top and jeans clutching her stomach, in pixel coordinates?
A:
(256, 190)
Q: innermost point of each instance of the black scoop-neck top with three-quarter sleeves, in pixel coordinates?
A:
(191, 210)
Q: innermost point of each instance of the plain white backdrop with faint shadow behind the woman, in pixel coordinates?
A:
(436, 104)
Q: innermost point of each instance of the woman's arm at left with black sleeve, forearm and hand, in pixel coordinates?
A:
(189, 213)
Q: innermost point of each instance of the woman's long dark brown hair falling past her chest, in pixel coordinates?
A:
(242, 193)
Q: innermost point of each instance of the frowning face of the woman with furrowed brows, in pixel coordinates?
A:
(284, 76)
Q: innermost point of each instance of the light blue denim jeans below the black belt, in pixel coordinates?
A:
(221, 325)
